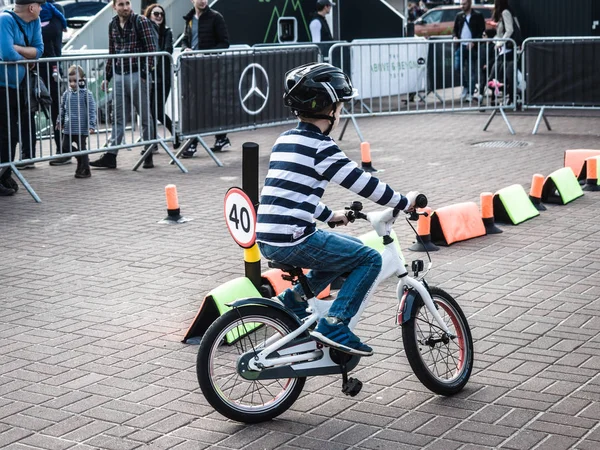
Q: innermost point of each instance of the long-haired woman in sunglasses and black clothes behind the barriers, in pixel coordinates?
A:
(162, 81)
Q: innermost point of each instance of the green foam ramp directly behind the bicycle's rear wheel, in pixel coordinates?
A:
(215, 304)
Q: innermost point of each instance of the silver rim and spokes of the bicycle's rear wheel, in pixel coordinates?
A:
(252, 396)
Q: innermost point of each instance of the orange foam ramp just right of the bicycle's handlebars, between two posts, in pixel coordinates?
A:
(456, 223)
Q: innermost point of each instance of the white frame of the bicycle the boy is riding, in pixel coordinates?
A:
(307, 357)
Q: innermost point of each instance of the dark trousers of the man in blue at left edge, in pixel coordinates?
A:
(17, 125)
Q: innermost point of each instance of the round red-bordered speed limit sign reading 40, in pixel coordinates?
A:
(240, 217)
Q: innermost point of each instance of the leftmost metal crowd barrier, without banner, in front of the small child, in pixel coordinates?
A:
(39, 135)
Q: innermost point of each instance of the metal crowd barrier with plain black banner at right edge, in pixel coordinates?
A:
(561, 73)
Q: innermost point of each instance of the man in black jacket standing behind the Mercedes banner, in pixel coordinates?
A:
(205, 29)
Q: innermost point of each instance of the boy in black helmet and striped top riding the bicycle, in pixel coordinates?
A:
(303, 161)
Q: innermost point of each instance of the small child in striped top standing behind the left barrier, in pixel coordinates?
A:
(77, 119)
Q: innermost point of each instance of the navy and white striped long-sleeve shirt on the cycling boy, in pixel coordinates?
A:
(303, 161)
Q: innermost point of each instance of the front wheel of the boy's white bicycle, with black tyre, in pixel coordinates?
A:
(442, 362)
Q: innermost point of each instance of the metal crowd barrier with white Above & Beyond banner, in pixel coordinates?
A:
(412, 76)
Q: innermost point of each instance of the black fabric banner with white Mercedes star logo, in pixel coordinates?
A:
(236, 89)
